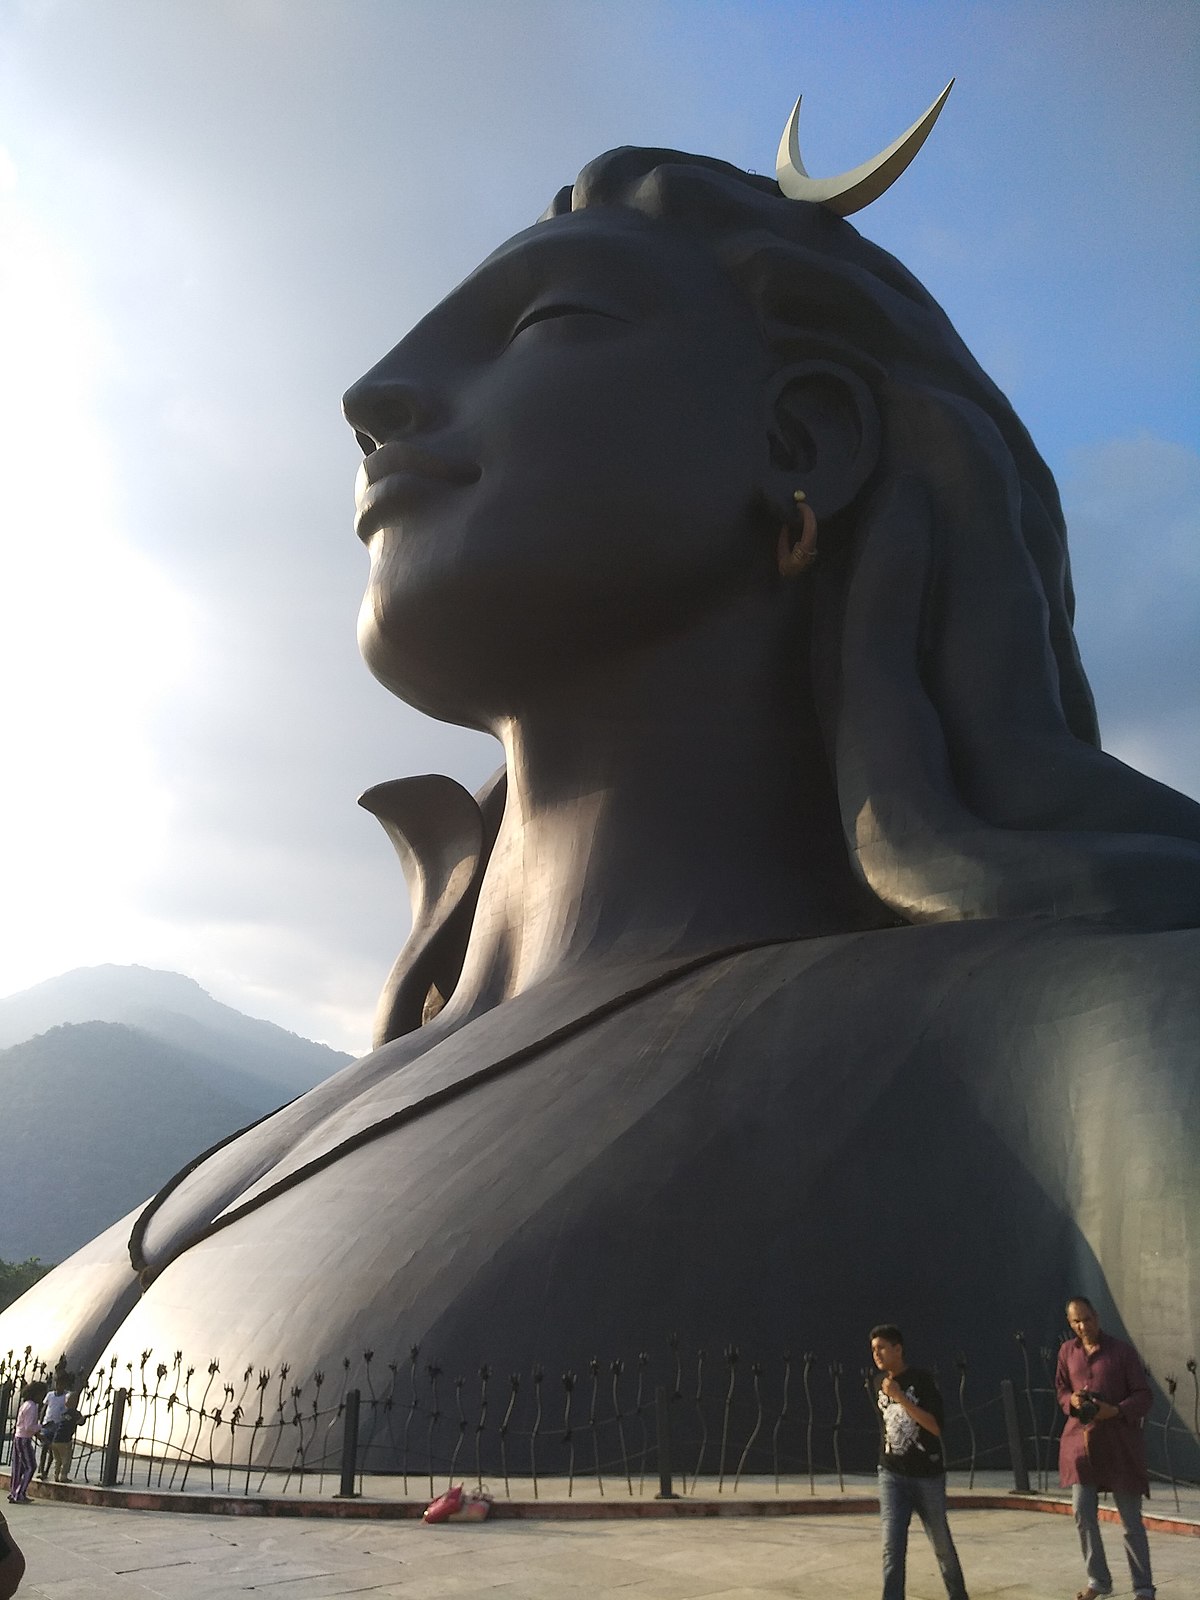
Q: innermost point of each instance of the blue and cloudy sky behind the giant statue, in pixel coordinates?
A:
(217, 214)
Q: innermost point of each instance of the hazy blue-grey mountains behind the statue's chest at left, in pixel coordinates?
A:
(116, 1078)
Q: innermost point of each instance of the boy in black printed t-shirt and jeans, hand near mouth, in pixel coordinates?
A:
(911, 1465)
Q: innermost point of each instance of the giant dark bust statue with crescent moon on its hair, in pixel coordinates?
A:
(809, 958)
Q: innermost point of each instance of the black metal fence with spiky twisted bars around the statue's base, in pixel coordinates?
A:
(673, 1423)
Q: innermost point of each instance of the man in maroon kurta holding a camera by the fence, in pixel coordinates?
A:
(1105, 1393)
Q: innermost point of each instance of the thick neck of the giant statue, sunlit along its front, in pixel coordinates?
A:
(663, 806)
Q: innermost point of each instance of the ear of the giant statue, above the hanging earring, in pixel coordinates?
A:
(825, 436)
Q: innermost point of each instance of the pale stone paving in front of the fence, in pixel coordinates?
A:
(82, 1553)
